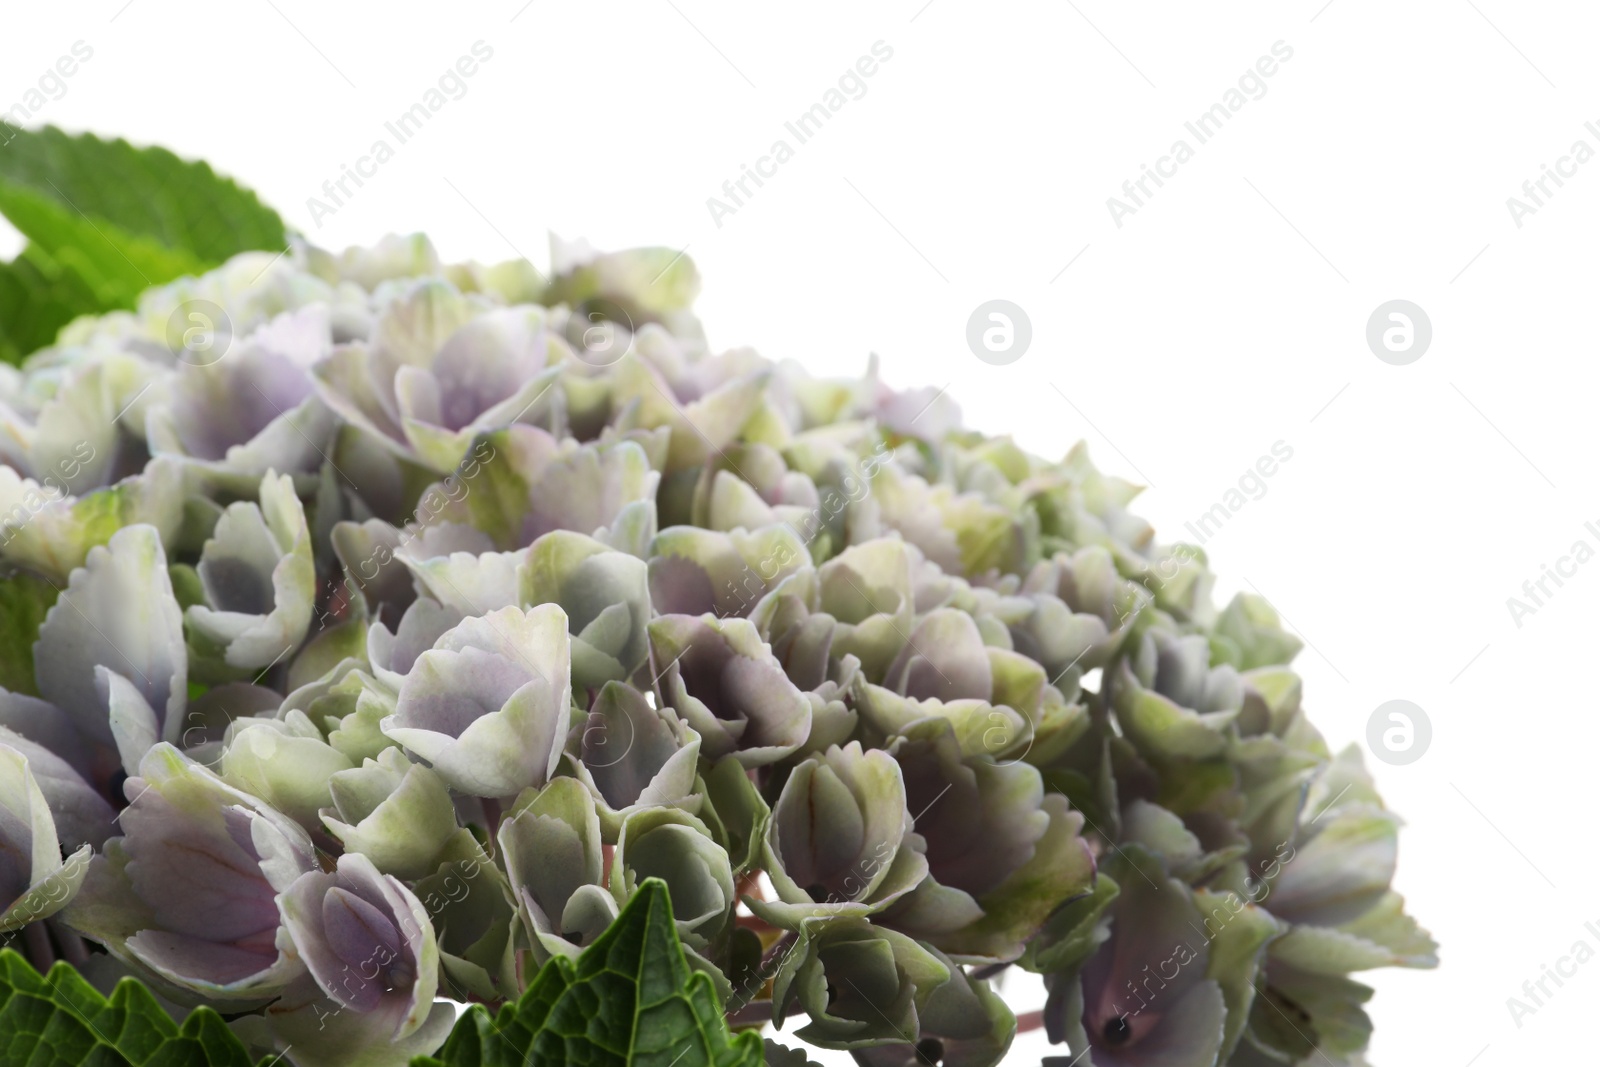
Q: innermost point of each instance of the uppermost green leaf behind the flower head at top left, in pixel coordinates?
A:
(145, 193)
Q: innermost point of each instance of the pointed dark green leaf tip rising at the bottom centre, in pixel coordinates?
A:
(631, 999)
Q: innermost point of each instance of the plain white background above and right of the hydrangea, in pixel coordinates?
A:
(1225, 316)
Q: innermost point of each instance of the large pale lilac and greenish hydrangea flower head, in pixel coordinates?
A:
(396, 620)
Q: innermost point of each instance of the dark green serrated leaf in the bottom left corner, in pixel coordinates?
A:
(63, 1021)
